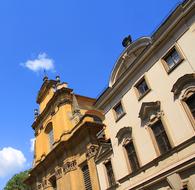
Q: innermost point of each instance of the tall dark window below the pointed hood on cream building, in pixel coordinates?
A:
(161, 137)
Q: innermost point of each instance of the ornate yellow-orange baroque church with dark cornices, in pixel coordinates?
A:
(65, 139)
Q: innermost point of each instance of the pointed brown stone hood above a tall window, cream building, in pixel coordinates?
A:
(149, 110)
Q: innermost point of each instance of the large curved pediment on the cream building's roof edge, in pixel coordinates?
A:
(127, 57)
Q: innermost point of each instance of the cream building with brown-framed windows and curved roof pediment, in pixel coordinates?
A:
(149, 109)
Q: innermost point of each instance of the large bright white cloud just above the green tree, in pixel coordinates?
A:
(11, 160)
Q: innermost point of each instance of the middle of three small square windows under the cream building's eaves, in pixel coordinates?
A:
(142, 88)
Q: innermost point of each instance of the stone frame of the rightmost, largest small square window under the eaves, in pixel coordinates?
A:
(167, 54)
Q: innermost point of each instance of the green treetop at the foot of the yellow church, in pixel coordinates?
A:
(17, 182)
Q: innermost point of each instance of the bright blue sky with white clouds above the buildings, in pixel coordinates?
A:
(78, 40)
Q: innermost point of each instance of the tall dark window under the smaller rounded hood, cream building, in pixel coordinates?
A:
(133, 160)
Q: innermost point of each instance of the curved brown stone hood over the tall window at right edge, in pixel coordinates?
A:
(182, 82)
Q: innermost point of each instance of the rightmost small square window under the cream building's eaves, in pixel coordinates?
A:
(172, 59)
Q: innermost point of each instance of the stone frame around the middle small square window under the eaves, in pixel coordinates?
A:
(138, 94)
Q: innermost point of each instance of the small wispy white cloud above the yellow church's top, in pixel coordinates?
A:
(42, 62)
